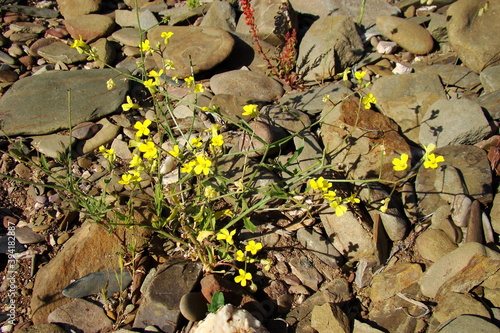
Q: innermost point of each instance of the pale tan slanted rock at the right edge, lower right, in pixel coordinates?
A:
(460, 270)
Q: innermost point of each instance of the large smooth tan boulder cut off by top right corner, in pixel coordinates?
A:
(472, 36)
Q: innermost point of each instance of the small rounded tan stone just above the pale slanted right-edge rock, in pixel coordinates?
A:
(432, 244)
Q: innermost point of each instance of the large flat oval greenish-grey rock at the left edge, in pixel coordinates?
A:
(39, 104)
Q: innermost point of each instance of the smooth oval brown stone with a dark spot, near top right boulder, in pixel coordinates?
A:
(409, 35)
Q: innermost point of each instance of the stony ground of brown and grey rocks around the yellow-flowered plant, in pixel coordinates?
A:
(428, 262)
